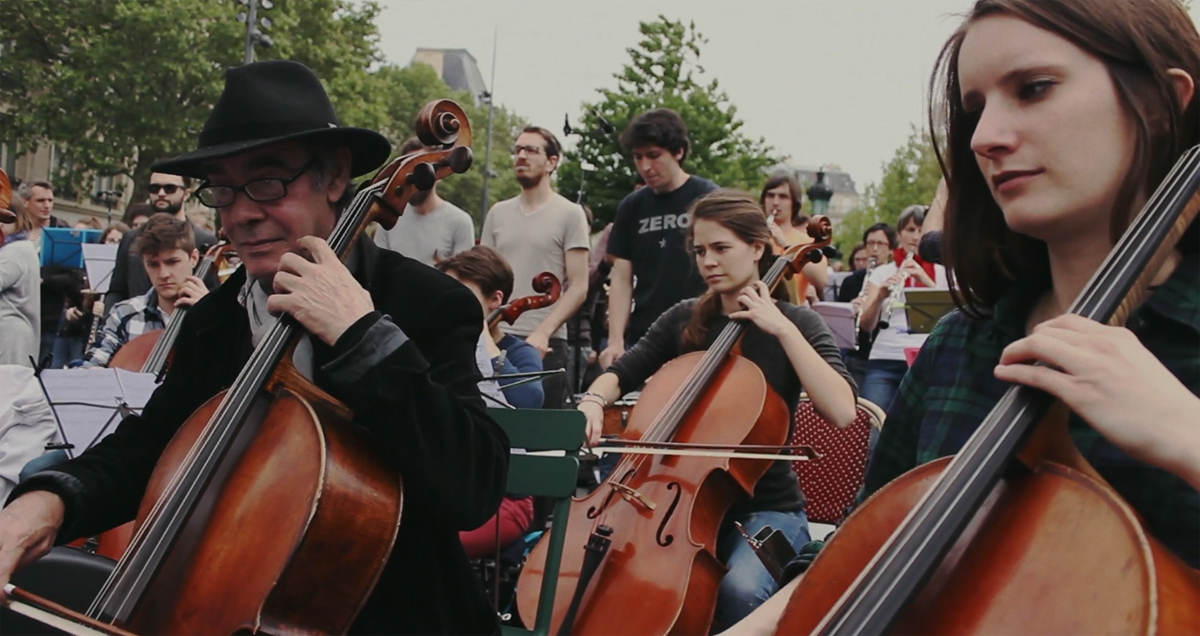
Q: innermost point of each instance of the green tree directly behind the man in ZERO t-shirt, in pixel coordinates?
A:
(663, 73)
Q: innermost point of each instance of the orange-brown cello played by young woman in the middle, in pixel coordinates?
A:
(652, 526)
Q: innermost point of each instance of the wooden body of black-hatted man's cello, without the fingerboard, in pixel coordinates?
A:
(334, 509)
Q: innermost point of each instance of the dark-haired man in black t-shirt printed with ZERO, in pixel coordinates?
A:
(652, 267)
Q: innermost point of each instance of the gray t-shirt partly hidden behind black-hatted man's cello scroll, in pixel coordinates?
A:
(439, 235)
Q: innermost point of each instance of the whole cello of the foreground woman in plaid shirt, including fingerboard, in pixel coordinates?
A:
(988, 541)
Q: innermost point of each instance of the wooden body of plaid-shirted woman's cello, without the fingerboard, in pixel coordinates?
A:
(1054, 550)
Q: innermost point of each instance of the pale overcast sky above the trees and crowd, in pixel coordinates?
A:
(823, 81)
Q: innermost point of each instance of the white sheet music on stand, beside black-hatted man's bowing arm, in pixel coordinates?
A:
(86, 400)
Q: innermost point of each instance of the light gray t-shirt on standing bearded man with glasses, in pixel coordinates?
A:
(533, 244)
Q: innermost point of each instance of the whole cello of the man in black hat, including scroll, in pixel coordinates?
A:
(278, 449)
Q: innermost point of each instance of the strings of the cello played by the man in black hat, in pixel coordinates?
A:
(218, 431)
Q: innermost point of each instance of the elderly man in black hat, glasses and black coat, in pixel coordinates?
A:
(391, 338)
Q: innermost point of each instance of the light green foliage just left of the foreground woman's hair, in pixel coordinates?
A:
(910, 177)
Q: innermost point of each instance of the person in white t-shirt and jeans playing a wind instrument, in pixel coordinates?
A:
(887, 364)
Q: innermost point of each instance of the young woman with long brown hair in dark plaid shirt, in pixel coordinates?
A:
(1061, 118)
